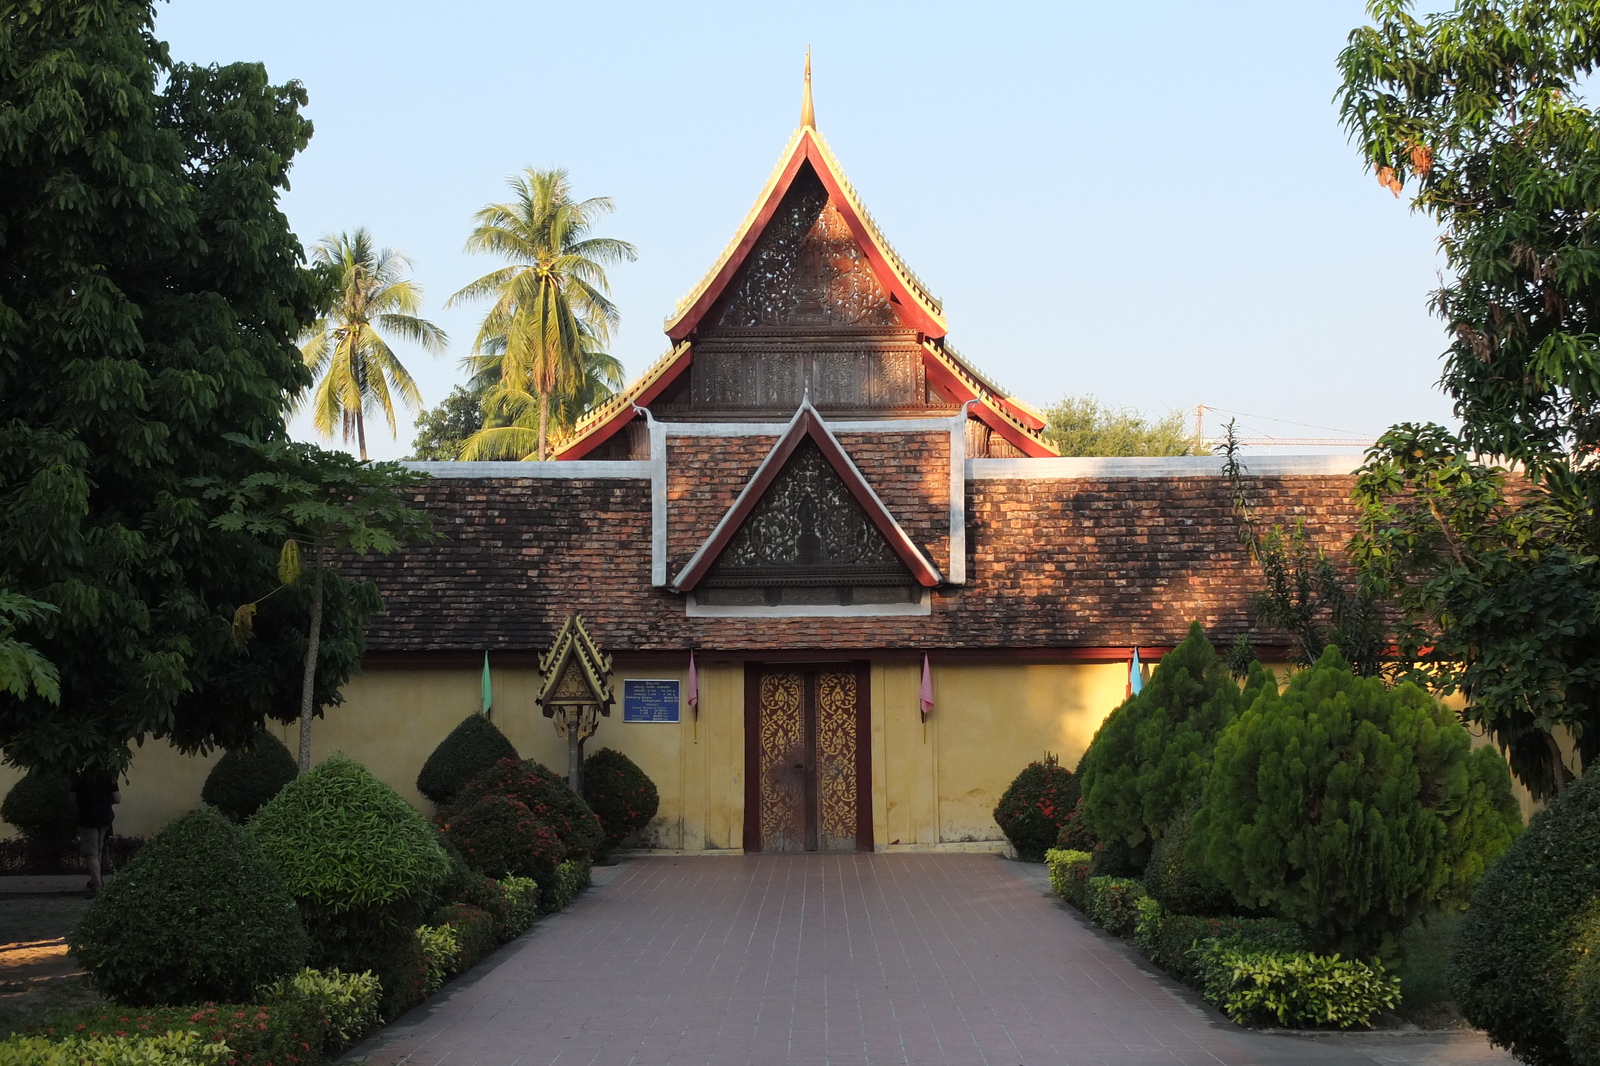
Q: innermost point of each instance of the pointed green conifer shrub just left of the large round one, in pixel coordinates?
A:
(1151, 755)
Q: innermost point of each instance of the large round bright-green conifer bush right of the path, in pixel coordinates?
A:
(1351, 808)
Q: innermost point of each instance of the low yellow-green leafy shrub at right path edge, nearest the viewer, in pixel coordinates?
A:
(1294, 988)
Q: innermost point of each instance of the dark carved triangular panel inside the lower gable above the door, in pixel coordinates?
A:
(807, 531)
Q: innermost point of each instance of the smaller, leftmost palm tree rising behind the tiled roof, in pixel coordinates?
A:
(358, 371)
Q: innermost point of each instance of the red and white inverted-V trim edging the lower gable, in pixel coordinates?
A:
(807, 427)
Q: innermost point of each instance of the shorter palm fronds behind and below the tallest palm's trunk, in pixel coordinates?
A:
(513, 417)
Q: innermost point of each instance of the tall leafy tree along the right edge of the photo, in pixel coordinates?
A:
(1476, 116)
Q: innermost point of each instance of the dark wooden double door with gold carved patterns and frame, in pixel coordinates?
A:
(809, 758)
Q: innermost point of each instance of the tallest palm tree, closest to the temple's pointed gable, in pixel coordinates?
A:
(551, 313)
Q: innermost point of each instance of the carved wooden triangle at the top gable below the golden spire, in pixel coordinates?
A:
(807, 270)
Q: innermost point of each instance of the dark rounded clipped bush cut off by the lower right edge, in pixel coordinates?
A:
(1518, 944)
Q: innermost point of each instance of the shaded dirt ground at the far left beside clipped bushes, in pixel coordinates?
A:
(38, 977)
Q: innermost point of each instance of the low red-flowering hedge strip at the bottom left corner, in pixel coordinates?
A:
(260, 1035)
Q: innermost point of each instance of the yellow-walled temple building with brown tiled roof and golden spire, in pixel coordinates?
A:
(894, 590)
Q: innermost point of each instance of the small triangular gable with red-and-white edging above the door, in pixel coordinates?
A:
(807, 516)
